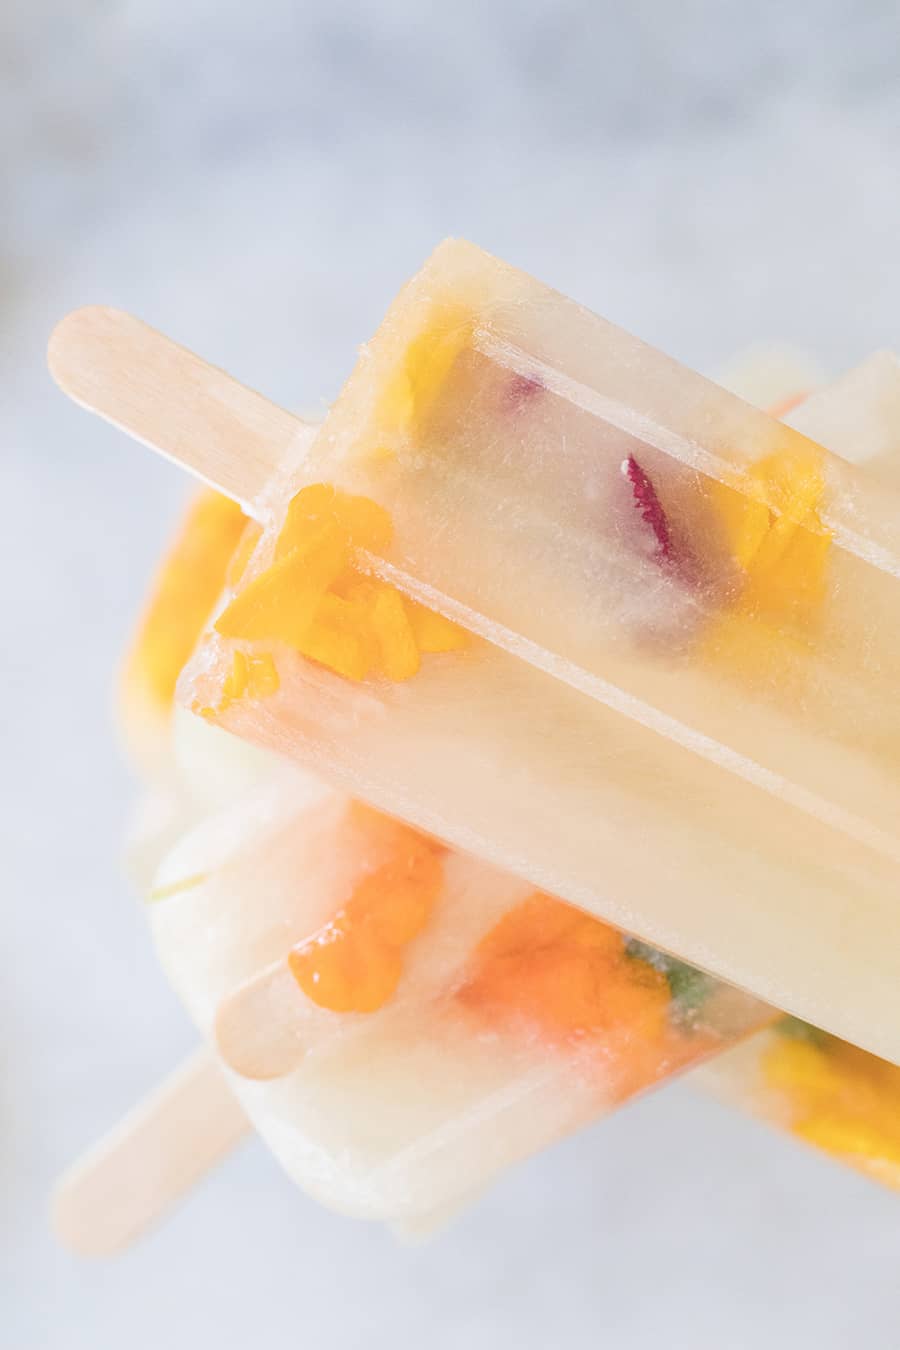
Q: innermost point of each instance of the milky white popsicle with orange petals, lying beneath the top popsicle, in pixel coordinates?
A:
(399, 1044)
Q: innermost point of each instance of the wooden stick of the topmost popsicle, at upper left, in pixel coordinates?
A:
(164, 396)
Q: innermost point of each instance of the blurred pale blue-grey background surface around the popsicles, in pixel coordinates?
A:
(257, 180)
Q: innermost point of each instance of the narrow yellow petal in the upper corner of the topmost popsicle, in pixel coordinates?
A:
(424, 368)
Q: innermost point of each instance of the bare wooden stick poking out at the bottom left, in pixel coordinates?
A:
(148, 1163)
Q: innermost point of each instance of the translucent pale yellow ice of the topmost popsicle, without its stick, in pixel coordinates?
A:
(675, 700)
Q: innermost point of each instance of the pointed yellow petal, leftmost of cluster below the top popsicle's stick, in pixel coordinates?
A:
(280, 605)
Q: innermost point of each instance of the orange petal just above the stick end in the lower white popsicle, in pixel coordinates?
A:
(356, 963)
